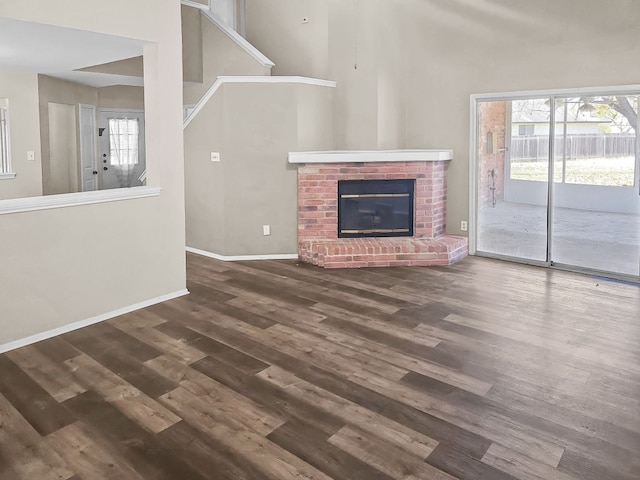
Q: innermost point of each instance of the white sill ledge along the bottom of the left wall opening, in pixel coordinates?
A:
(31, 204)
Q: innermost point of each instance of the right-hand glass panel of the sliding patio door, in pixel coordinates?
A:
(596, 202)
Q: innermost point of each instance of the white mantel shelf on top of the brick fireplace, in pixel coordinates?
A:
(364, 156)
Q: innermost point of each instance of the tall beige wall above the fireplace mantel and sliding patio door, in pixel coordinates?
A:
(420, 60)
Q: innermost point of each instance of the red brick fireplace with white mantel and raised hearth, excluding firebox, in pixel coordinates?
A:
(318, 240)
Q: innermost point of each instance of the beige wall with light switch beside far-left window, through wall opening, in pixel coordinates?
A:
(22, 91)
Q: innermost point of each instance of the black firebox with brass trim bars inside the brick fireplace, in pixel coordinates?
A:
(375, 208)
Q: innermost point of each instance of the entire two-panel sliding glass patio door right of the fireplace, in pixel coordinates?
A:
(556, 181)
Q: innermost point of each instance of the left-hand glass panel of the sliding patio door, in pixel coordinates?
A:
(513, 169)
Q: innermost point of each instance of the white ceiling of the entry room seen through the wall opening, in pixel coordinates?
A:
(58, 51)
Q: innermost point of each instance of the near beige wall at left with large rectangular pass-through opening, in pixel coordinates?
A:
(66, 265)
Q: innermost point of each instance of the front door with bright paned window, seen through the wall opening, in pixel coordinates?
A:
(122, 152)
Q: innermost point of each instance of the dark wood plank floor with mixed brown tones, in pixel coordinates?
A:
(485, 370)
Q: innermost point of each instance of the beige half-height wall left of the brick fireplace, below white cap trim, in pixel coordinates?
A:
(253, 126)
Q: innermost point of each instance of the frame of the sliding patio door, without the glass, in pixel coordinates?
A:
(553, 95)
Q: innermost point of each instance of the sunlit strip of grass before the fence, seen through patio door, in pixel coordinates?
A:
(619, 171)
